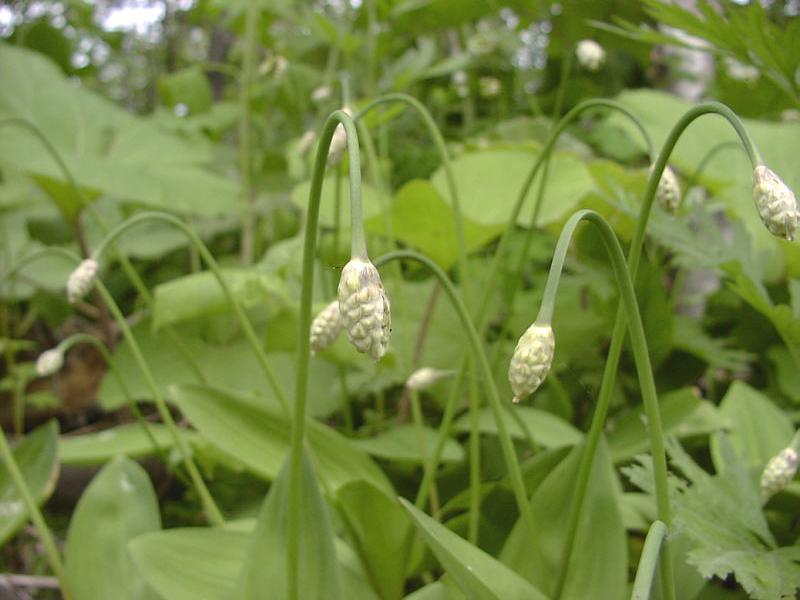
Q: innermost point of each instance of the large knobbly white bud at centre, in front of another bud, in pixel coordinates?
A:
(364, 307)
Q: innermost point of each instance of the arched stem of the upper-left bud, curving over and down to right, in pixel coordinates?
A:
(209, 259)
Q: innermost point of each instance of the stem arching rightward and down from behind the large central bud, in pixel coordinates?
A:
(479, 356)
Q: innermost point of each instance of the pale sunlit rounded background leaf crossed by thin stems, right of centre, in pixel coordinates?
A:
(490, 181)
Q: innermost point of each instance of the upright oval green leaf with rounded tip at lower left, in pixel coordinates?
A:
(119, 505)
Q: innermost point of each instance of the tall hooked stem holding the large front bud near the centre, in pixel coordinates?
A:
(359, 250)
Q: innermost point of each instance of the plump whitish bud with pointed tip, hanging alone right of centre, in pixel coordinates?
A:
(531, 361)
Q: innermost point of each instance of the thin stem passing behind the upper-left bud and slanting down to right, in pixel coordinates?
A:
(212, 511)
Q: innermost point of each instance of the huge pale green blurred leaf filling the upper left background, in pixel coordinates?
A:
(107, 149)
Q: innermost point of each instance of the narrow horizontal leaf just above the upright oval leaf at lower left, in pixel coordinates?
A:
(100, 447)
